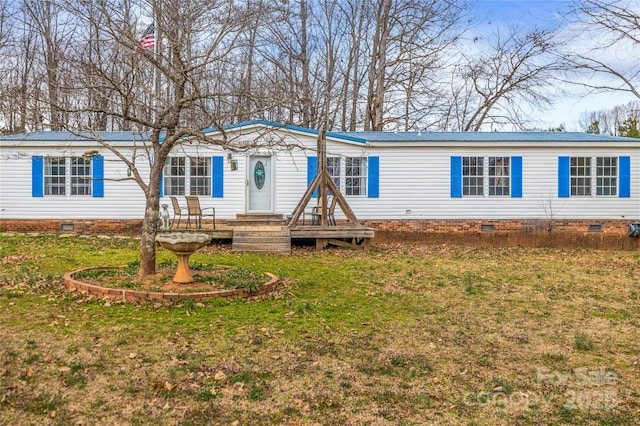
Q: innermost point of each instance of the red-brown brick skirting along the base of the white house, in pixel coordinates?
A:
(526, 232)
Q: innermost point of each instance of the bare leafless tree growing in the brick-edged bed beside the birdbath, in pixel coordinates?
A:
(157, 89)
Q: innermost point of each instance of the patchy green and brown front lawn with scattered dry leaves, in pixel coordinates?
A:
(403, 334)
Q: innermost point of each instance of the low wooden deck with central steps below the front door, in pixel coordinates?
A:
(265, 234)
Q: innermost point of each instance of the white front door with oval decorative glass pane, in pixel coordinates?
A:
(260, 185)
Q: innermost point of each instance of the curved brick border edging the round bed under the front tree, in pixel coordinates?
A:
(133, 296)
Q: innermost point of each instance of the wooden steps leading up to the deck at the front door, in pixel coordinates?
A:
(262, 240)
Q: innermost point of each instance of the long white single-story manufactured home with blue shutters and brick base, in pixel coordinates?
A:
(418, 184)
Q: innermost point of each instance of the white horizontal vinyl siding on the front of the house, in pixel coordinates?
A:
(414, 181)
